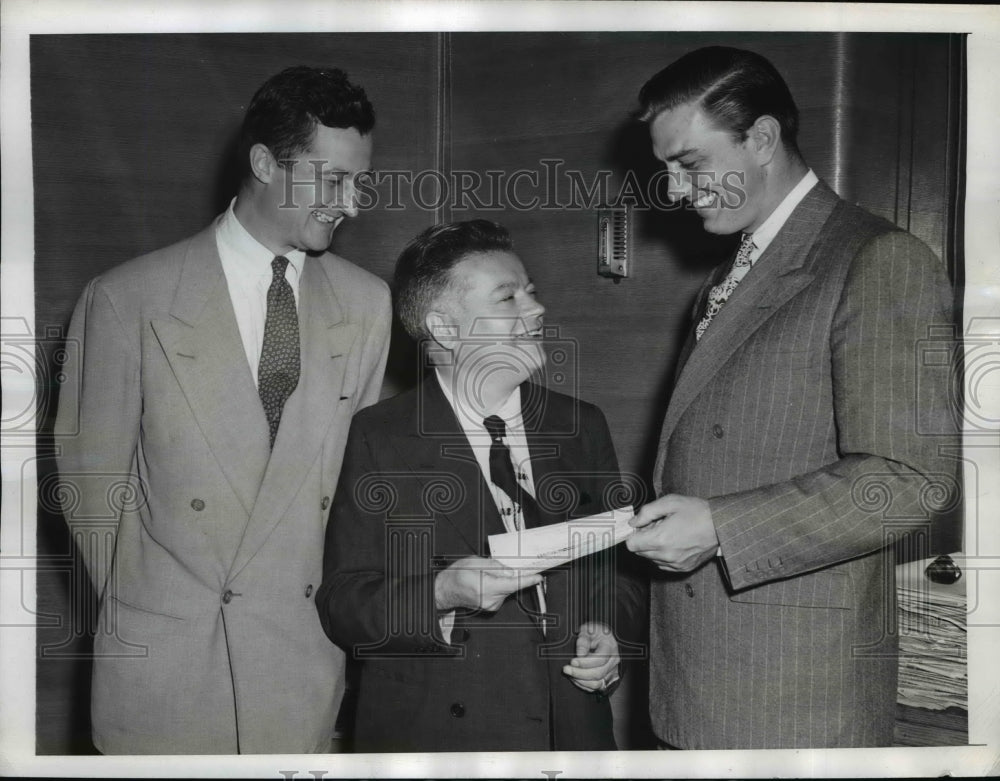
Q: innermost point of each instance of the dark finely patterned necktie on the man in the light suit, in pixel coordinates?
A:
(280, 363)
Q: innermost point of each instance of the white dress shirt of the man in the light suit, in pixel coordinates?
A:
(247, 266)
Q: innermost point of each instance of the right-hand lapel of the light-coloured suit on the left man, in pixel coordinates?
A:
(326, 341)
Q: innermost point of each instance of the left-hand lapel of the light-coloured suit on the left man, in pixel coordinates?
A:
(201, 342)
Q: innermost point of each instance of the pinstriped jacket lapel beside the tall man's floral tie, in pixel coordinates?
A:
(780, 273)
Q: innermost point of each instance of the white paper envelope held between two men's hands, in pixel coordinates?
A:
(538, 549)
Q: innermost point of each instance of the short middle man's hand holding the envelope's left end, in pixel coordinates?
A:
(478, 583)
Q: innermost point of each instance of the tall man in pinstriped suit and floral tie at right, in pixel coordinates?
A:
(804, 434)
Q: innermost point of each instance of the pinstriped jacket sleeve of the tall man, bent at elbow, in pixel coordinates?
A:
(896, 432)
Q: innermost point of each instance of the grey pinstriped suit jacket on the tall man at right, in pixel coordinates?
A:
(809, 418)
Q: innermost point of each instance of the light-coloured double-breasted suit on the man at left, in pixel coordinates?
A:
(209, 559)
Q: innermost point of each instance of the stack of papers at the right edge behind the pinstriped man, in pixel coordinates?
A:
(932, 638)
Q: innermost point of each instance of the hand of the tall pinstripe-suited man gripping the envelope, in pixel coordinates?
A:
(674, 532)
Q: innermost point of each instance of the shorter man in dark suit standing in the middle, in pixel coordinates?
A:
(459, 653)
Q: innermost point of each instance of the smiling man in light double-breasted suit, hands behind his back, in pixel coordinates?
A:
(217, 383)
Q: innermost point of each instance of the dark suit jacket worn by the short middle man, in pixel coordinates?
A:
(411, 500)
